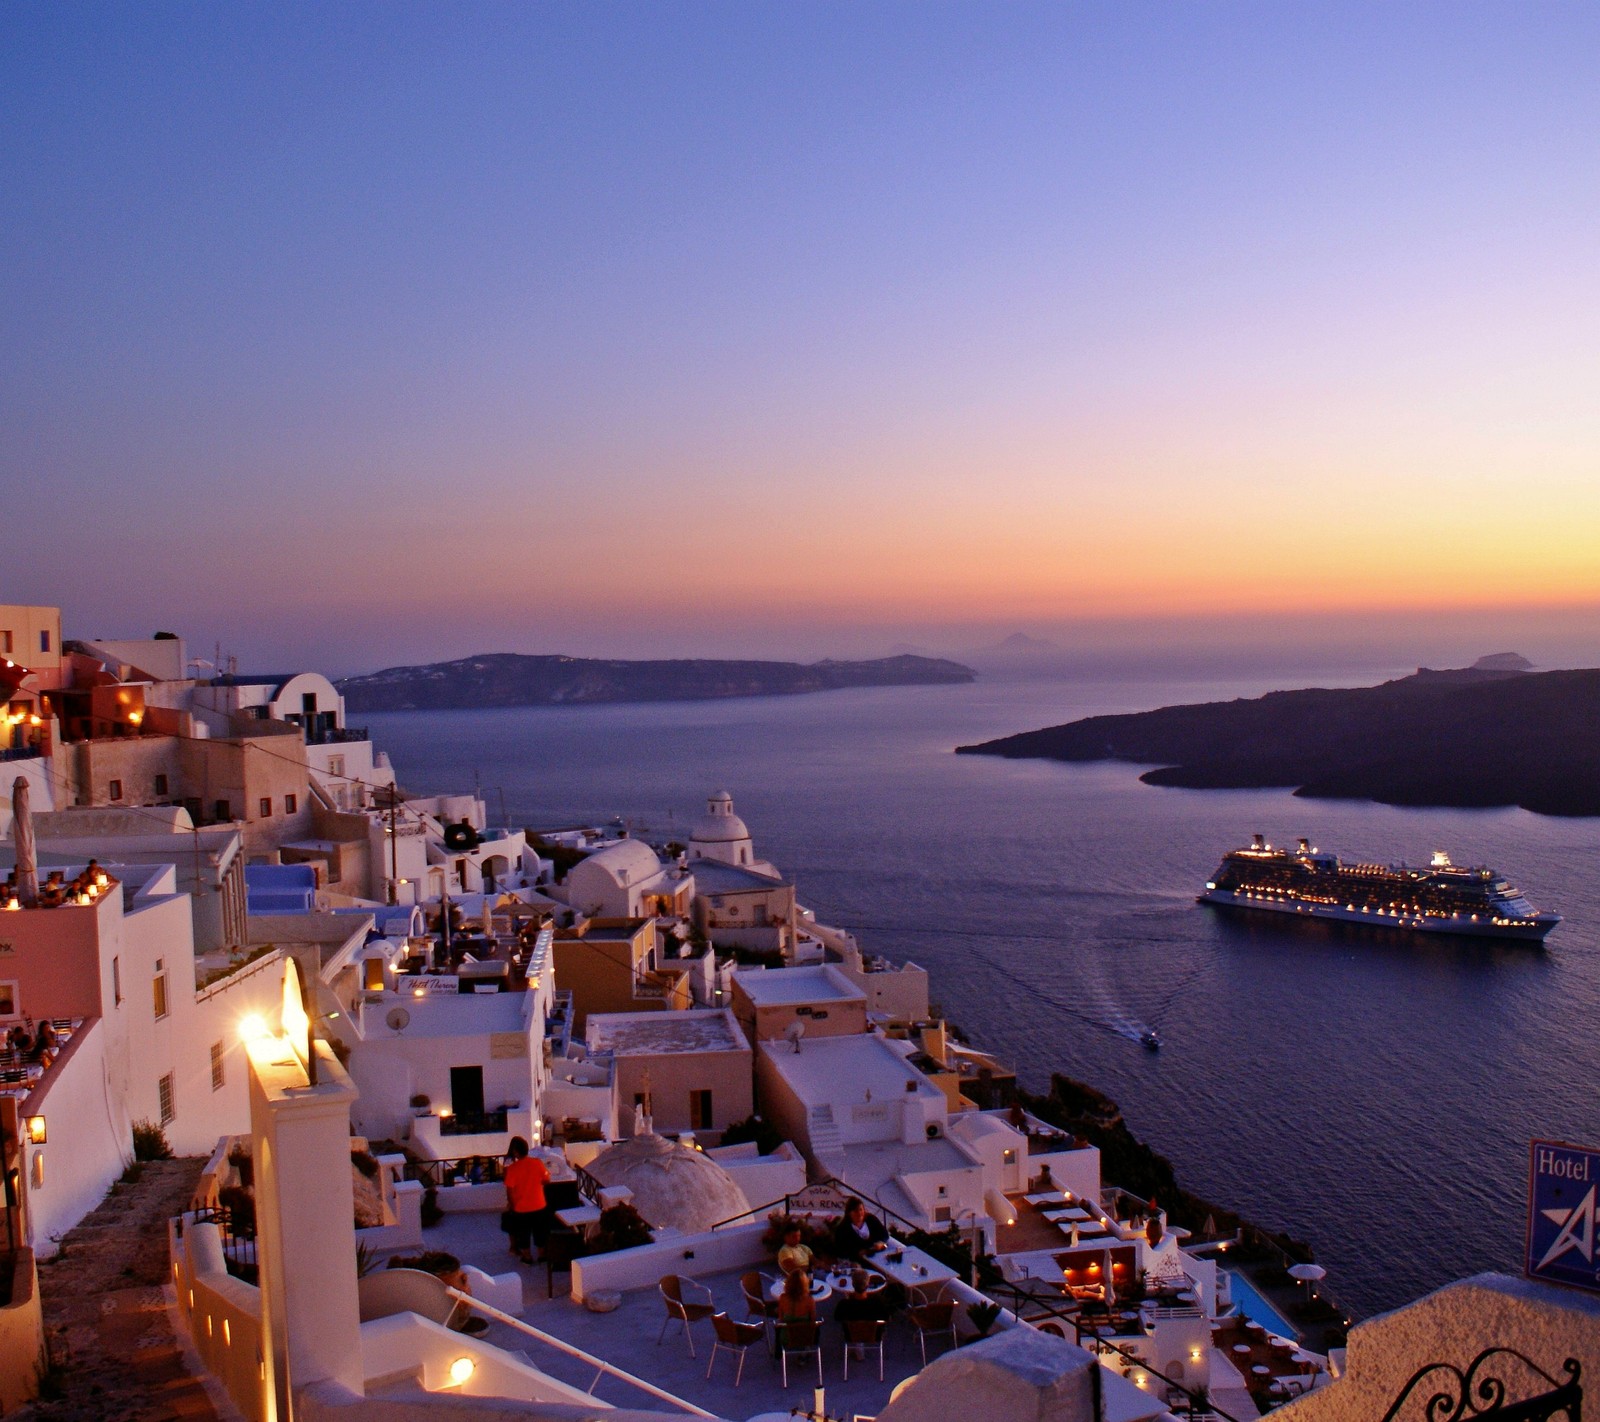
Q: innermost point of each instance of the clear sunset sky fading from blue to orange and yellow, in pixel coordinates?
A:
(358, 335)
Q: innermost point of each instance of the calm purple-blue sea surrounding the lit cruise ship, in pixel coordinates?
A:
(1374, 1095)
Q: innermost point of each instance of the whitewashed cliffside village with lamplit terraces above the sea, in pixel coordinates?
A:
(226, 927)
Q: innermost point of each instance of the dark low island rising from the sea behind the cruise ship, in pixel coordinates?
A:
(1490, 735)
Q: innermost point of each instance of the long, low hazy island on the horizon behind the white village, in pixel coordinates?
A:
(510, 679)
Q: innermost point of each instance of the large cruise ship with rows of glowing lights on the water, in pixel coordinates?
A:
(1442, 898)
